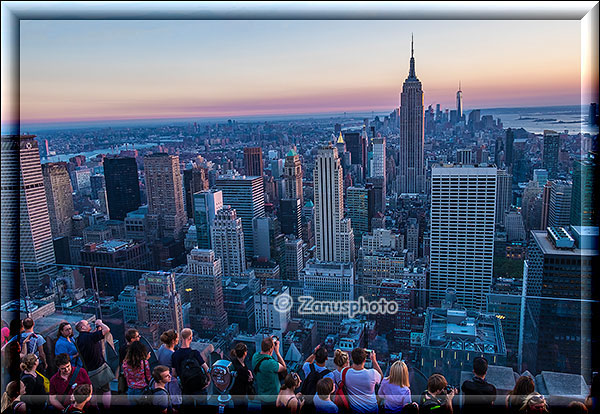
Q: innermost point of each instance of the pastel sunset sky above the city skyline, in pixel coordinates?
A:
(94, 70)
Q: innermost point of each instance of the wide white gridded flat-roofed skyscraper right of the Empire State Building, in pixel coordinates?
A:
(463, 205)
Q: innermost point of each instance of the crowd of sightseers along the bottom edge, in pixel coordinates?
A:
(77, 379)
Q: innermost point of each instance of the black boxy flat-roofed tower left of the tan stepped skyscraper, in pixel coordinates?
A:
(122, 186)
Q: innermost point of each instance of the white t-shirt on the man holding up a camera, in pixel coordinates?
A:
(361, 389)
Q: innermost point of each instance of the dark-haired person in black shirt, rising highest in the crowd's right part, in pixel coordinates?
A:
(478, 394)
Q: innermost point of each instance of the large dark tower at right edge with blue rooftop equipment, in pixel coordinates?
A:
(557, 307)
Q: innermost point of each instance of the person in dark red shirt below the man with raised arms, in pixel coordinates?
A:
(65, 381)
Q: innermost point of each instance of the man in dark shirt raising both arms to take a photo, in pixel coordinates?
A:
(90, 352)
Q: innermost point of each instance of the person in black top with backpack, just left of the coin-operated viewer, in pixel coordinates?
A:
(190, 366)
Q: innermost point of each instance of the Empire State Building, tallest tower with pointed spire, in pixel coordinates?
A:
(411, 168)
